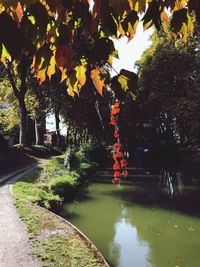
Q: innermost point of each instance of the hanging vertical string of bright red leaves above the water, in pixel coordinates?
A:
(120, 164)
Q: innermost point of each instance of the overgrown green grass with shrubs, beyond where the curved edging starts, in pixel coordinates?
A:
(36, 186)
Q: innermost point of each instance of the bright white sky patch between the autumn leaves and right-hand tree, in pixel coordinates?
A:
(130, 52)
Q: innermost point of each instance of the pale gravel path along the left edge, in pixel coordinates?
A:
(15, 249)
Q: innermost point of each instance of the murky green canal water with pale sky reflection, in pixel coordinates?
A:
(141, 225)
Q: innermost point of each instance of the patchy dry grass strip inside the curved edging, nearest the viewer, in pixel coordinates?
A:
(54, 242)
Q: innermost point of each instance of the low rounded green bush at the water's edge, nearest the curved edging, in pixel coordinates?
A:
(64, 186)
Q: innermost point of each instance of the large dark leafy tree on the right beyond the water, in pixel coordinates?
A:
(169, 87)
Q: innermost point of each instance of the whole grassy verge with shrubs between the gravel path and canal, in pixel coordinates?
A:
(54, 242)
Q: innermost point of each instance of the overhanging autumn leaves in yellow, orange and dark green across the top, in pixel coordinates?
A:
(74, 36)
